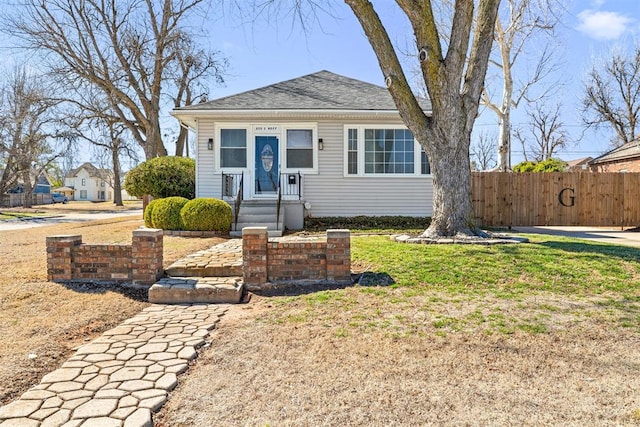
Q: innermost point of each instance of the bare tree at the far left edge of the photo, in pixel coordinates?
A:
(32, 131)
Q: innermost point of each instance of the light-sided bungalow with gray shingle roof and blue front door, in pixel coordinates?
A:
(318, 145)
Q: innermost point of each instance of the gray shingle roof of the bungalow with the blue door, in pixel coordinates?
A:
(318, 91)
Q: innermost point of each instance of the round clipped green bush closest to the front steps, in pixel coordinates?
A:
(205, 214)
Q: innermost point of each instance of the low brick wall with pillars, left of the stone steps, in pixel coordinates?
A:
(68, 259)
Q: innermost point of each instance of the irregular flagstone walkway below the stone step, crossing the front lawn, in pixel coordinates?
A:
(122, 377)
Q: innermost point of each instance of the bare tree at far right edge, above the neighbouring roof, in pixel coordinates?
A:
(612, 95)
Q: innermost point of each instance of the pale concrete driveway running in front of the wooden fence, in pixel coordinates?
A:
(613, 235)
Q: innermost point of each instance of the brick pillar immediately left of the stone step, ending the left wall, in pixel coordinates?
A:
(146, 256)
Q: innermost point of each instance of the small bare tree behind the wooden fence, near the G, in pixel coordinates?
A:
(545, 134)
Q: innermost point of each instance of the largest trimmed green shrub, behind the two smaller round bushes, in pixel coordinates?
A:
(163, 177)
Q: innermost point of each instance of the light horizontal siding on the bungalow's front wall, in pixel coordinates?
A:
(330, 192)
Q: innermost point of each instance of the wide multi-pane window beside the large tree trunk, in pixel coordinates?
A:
(373, 151)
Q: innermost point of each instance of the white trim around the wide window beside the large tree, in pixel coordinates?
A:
(417, 149)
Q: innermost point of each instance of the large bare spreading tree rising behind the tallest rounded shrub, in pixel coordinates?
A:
(125, 48)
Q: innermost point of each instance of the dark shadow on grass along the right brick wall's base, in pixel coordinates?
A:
(305, 287)
